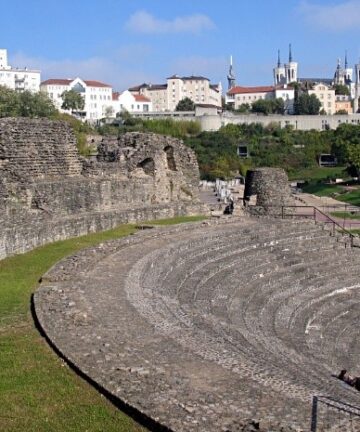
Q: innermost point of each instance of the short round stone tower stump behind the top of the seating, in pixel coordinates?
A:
(271, 187)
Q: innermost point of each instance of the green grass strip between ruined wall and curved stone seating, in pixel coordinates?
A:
(38, 392)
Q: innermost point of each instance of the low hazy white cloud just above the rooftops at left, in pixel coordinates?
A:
(113, 71)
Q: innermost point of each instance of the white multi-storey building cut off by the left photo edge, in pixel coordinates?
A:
(19, 79)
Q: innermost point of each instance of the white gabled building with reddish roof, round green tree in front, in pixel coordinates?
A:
(97, 96)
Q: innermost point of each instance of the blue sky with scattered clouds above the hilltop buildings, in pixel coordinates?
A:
(128, 42)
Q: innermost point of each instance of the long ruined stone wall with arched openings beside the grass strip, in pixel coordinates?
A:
(48, 192)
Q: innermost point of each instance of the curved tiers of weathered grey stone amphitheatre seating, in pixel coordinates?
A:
(204, 327)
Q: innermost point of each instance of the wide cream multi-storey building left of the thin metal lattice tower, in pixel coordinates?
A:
(165, 97)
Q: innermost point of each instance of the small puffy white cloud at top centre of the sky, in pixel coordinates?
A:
(144, 22)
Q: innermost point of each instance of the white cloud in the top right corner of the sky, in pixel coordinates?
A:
(335, 17)
